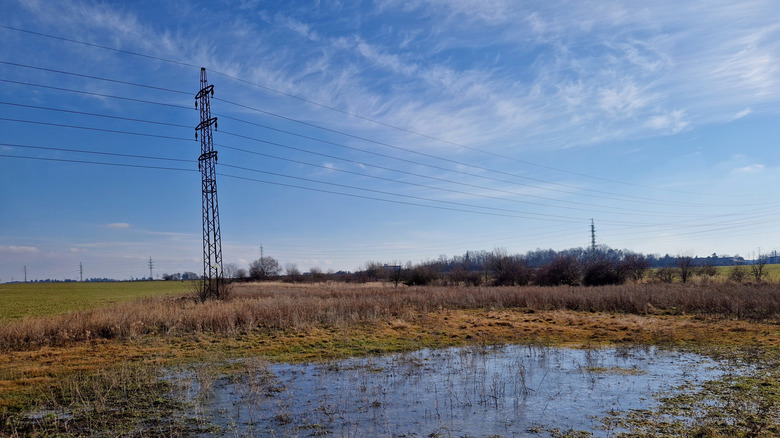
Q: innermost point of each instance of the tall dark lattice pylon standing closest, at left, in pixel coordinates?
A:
(212, 240)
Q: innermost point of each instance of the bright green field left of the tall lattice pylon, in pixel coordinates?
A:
(40, 299)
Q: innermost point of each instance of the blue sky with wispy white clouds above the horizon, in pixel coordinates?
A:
(386, 130)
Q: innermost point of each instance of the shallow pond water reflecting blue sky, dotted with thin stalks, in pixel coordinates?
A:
(507, 390)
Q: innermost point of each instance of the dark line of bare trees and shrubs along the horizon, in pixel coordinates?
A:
(573, 267)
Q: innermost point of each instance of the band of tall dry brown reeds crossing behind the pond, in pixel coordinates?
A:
(283, 307)
